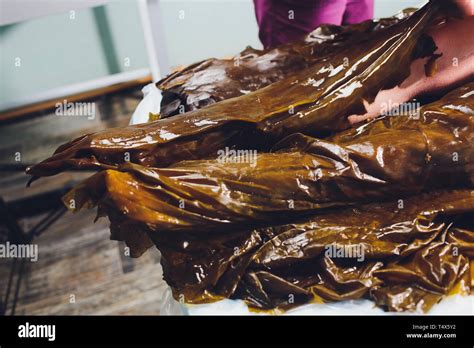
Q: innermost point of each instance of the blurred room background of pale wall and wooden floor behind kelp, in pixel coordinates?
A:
(102, 52)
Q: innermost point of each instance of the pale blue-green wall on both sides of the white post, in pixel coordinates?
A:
(57, 50)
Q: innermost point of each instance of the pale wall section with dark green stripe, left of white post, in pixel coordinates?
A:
(66, 48)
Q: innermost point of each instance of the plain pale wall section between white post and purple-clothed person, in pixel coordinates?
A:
(210, 28)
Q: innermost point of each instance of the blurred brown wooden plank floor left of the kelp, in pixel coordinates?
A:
(79, 270)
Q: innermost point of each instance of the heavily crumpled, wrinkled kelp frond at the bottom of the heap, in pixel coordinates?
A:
(370, 251)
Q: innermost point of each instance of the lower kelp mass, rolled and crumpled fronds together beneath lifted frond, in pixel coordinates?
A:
(384, 211)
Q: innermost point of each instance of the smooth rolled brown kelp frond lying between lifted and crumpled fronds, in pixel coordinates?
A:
(384, 159)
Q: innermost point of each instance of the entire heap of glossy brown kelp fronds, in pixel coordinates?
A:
(271, 197)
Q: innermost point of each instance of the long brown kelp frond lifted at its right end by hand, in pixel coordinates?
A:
(315, 101)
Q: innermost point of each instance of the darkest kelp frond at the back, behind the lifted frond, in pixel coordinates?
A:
(214, 80)
